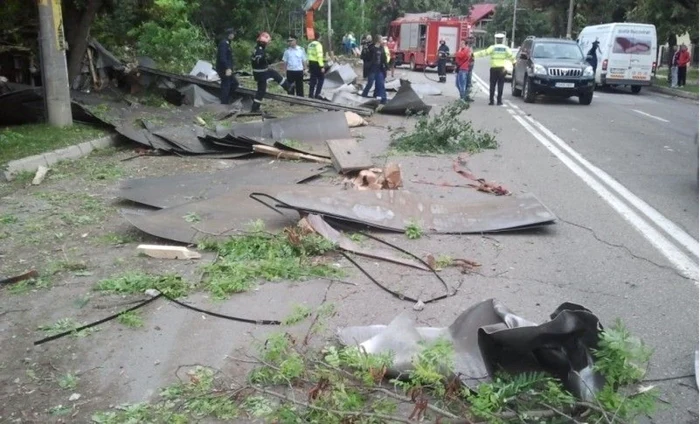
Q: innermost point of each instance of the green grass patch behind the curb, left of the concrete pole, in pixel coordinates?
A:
(17, 142)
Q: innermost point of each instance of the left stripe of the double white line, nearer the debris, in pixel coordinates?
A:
(682, 262)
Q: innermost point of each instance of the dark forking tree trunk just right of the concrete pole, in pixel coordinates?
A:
(77, 35)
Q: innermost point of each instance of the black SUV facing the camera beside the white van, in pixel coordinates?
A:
(554, 67)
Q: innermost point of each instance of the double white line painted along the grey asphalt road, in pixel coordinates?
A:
(681, 261)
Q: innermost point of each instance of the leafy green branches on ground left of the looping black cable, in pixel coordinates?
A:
(247, 258)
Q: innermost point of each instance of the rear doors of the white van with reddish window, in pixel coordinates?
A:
(632, 54)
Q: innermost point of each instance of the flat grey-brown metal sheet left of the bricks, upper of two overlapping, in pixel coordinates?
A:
(174, 190)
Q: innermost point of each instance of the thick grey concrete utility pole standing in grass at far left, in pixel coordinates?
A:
(54, 69)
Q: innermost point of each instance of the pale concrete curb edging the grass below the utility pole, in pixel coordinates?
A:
(32, 163)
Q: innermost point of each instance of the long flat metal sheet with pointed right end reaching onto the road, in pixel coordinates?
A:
(394, 210)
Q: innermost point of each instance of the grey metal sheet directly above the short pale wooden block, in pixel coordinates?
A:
(217, 218)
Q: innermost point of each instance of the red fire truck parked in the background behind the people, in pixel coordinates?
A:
(418, 37)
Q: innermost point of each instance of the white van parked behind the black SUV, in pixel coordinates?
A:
(627, 54)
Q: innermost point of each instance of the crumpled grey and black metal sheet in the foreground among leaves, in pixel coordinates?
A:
(488, 337)
